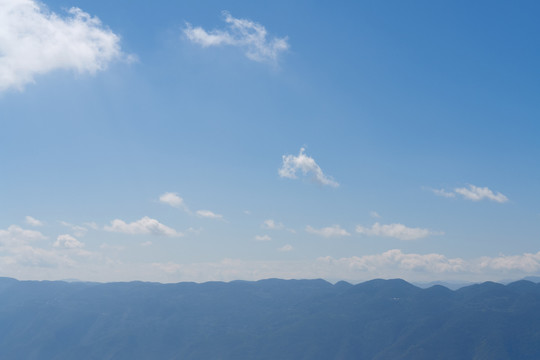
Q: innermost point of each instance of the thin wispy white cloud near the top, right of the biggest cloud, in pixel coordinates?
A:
(245, 34)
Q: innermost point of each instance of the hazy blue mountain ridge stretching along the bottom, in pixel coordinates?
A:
(268, 319)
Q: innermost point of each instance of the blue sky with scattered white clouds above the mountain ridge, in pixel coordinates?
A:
(220, 140)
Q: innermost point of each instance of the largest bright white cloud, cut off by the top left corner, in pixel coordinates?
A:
(36, 41)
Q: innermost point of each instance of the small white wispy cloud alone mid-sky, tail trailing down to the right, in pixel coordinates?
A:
(307, 165)
